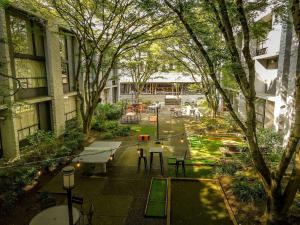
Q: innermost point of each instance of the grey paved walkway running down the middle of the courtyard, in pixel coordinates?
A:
(119, 197)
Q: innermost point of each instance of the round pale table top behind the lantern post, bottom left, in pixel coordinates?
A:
(56, 215)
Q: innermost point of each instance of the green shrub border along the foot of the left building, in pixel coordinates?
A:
(42, 146)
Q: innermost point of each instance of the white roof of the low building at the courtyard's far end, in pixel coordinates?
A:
(164, 77)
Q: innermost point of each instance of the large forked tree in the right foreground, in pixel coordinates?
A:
(234, 22)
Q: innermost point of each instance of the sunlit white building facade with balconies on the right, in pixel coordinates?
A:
(275, 65)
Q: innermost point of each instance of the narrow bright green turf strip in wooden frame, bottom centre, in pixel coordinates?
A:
(157, 199)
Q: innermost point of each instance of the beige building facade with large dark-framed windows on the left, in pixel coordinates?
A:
(39, 55)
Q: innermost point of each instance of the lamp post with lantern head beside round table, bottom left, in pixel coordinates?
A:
(68, 184)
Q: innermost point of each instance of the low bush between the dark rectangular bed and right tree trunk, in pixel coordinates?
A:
(248, 190)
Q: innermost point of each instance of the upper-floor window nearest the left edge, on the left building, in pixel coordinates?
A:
(27, 47)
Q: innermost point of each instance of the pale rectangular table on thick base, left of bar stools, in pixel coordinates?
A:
(98, 153)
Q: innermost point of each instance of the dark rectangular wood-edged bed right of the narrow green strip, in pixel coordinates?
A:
(196, 202)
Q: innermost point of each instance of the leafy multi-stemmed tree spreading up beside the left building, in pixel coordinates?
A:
(104, 31)
